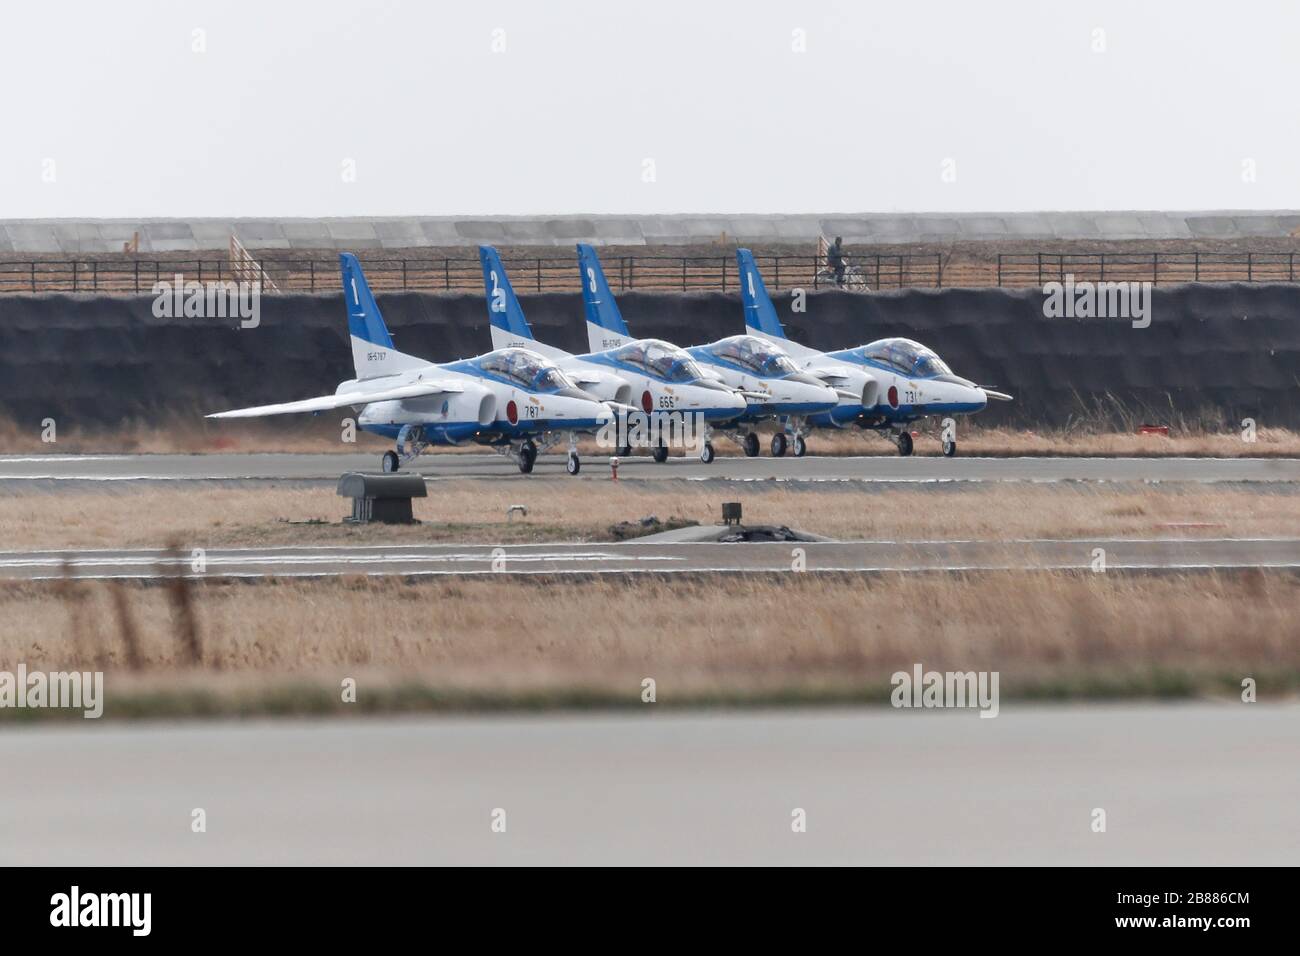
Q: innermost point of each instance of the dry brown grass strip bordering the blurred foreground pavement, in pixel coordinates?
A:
(707, 638)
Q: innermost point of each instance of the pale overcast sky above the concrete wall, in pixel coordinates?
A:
(328, 109)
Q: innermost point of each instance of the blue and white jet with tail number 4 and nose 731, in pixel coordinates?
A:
(903, 382)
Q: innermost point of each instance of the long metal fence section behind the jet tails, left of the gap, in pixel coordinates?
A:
(535, 275)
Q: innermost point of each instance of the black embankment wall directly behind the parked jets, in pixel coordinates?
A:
(1233, 351)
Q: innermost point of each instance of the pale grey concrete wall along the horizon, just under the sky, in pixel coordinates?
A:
(358, 235)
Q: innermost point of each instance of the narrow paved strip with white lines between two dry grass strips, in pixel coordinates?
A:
(1149, 555)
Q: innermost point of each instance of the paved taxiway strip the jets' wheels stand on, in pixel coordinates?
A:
(18, 469)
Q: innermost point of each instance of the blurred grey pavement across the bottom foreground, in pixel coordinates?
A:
(1181, 785)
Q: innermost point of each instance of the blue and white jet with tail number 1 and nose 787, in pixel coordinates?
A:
(513, 399)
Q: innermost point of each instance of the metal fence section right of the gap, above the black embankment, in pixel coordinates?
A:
(1035, 269)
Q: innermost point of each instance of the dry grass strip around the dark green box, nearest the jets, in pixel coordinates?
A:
(584, 509)
